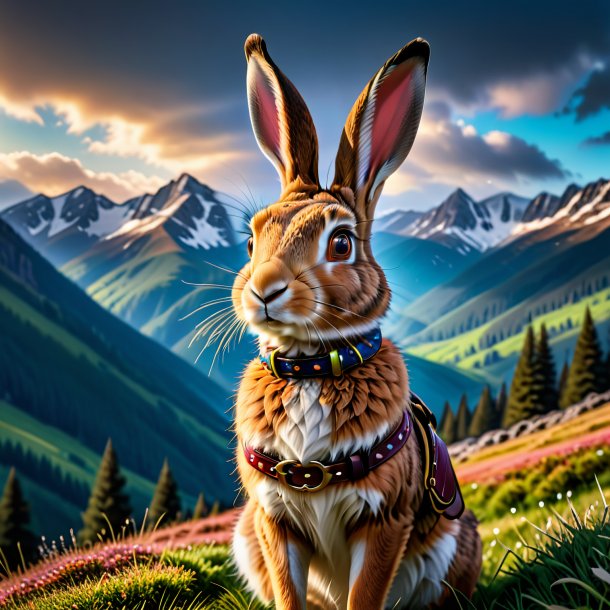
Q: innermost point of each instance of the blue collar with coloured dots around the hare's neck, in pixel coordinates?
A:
(323, 365)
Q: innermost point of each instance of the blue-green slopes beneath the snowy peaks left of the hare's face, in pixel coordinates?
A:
(155, 285)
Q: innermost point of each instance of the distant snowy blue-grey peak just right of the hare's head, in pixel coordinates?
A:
(464, 224)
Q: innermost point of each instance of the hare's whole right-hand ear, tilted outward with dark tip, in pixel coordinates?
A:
(382, 124)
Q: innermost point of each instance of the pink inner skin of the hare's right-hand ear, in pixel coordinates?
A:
(392, 104)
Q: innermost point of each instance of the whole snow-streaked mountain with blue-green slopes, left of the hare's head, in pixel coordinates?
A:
(145, 259)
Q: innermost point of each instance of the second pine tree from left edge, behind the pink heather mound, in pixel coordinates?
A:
(108, 509)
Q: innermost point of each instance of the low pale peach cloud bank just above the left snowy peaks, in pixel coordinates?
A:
(54, 173)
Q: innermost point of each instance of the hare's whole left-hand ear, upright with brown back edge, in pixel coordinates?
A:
(280, 119)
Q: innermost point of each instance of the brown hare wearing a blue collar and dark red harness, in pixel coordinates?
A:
(336, 457)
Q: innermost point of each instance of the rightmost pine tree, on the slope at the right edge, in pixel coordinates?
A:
(586, 370)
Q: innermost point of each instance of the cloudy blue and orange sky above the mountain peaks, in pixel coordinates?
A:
(124, 96)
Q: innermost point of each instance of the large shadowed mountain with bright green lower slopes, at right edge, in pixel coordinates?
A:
(543, 272)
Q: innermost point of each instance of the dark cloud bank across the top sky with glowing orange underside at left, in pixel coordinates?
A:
(170, 88)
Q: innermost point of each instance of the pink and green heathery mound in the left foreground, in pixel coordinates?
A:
(129, 576)
